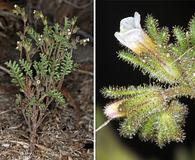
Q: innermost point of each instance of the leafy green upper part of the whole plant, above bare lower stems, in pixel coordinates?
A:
(45, 60)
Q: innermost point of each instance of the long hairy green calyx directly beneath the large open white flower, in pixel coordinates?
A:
(164, 70)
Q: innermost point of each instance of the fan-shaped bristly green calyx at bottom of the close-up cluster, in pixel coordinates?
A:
(165, 126)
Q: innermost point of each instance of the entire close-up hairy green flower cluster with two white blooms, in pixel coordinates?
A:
(153, 111)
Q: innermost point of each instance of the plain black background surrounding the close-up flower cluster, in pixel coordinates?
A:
(111, 71)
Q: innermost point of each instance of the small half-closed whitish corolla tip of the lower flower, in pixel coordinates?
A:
(112, 110)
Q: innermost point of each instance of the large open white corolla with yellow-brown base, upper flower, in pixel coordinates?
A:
(132, 36)
